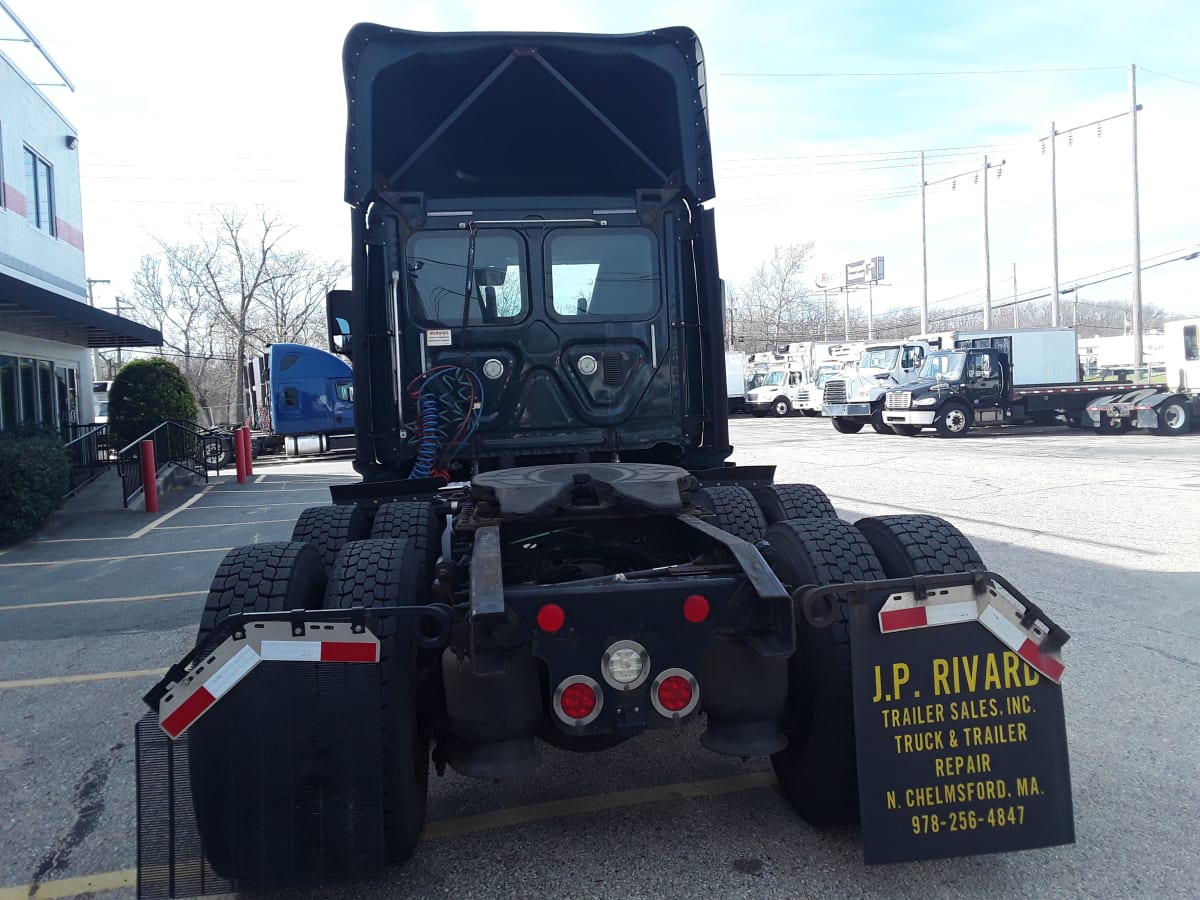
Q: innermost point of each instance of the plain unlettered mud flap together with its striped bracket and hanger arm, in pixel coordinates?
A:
(261, 764)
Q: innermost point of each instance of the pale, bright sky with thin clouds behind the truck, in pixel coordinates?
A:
(818, 113)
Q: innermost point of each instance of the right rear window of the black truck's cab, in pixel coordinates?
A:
(601, 272)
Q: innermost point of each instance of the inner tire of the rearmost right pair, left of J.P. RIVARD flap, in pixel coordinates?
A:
(819, 770)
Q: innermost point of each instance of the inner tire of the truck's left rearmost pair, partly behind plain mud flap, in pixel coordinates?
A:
(373, 574)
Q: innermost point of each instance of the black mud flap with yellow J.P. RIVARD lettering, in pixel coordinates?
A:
(962, 745)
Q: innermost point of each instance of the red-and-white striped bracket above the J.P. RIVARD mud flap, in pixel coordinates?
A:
(993, 608)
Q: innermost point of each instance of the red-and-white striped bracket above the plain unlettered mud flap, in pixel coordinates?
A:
(238, 656)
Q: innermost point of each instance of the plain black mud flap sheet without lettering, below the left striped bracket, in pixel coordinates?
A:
(280, 784)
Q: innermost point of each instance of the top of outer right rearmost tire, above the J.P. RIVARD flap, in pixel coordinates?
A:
(920, 545)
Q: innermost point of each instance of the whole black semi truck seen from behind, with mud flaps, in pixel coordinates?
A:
(549, 545)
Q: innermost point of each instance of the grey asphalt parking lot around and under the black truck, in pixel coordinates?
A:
(1102, 532)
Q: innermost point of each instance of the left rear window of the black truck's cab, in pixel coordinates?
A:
(437, 278)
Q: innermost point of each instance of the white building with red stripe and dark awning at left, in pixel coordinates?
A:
(47, 328)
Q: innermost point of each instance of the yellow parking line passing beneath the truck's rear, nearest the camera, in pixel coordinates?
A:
(449, 829)
